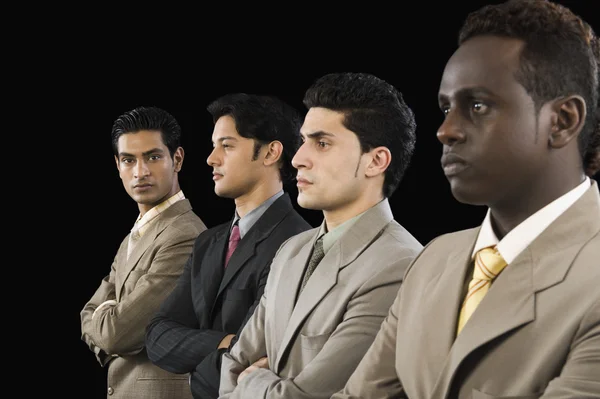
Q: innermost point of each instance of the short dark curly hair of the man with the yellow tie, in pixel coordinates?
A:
(560, 58)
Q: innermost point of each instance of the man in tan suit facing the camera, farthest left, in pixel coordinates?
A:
(146, 144)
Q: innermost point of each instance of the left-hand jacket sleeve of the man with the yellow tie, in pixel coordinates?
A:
(375, 377)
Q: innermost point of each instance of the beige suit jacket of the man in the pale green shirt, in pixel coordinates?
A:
(314, 346)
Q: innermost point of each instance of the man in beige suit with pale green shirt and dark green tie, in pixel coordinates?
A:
(329, 288)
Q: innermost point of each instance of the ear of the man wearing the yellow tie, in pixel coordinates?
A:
(568, 119)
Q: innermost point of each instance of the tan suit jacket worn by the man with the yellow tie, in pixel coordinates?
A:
(536, 334)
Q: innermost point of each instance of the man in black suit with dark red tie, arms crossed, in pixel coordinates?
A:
(254, 139)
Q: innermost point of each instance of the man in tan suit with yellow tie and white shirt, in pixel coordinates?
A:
(510, 309)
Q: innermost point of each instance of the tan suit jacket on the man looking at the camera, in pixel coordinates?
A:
(139, 285)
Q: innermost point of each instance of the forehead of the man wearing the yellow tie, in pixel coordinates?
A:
(484, 62)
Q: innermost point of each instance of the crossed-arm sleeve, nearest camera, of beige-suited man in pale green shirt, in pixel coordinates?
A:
(364, 315)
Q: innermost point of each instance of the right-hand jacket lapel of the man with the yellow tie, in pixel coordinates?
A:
(510, 302)
